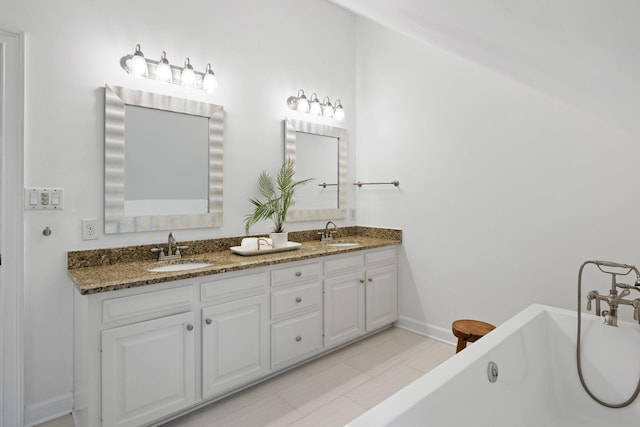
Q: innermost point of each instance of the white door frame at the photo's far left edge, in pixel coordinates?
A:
(11, 229)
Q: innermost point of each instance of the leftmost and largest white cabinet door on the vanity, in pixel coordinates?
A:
(148, 370)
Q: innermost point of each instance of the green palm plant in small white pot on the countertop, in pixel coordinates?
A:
(279, 195)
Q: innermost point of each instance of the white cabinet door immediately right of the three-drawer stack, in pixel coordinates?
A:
(344, 316)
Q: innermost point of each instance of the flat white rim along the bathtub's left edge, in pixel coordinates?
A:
(387, 411)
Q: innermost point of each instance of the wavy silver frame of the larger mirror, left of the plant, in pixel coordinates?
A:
(115, 220)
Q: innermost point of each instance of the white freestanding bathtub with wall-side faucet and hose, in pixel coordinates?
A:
(537, 383)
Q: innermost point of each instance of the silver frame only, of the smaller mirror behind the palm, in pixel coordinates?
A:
(291, 126)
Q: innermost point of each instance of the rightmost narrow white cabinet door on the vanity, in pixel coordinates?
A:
(382, 296)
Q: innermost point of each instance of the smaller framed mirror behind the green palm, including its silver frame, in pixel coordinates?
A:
(319, 152)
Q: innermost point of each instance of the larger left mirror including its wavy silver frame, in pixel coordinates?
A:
(163, 162)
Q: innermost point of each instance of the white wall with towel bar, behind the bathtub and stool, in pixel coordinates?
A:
(504, 191)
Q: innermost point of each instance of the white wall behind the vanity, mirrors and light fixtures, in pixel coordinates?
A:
(262, 52)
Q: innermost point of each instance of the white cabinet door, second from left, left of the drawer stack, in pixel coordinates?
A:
(235, 344)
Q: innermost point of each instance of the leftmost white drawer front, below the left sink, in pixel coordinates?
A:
(147, 305)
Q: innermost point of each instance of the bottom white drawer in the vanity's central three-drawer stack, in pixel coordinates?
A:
(295, 339)
